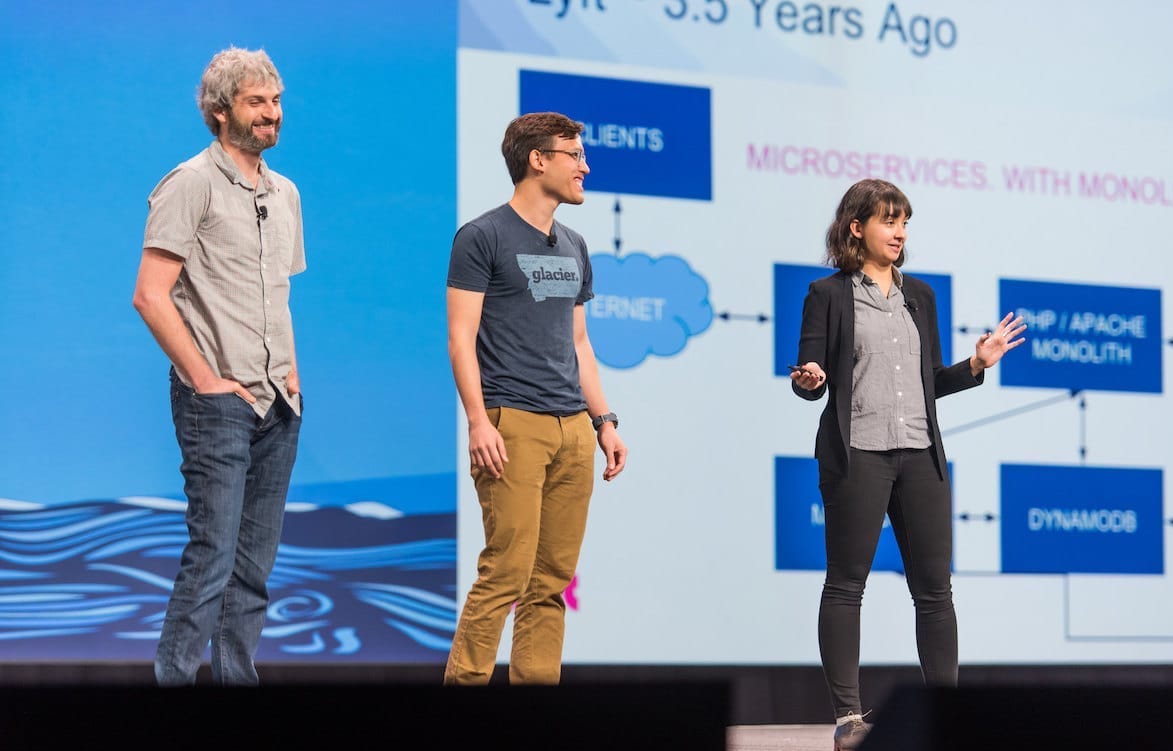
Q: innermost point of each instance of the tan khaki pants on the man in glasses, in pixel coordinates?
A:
(535, 518)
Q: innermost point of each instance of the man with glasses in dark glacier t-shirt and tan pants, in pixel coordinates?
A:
(528, 380)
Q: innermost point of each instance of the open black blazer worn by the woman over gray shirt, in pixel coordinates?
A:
(829, 339)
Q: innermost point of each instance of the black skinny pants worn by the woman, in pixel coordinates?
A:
(905, 485)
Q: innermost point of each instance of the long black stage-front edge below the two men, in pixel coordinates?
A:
(636, 716)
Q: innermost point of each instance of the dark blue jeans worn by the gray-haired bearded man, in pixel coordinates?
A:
(236, 471)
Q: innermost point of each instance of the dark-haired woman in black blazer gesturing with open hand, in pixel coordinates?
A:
(870, 337)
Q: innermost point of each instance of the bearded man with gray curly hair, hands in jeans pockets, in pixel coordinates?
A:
(223, 238)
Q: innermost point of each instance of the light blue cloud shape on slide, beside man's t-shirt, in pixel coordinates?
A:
(645, 306)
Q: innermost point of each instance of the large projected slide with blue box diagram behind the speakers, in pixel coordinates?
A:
(721, 137)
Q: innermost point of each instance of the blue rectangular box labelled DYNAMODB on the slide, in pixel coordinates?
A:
(1088, 520)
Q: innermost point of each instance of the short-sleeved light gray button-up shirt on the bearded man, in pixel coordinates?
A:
(240, 247)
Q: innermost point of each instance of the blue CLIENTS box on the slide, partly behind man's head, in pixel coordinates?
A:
(641, 138)
